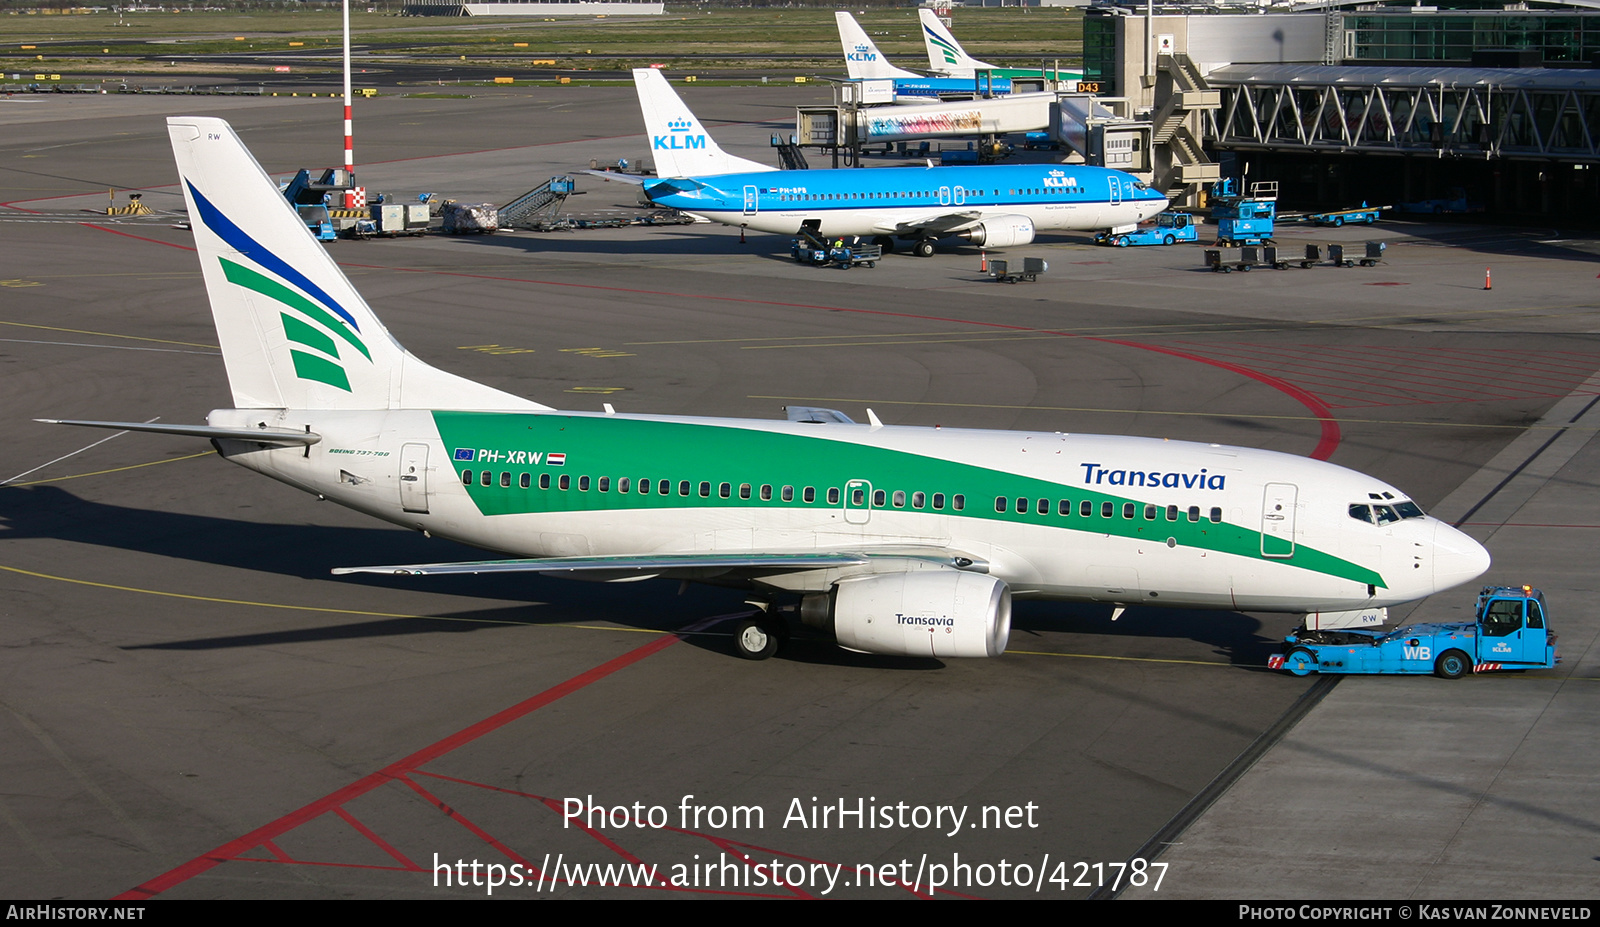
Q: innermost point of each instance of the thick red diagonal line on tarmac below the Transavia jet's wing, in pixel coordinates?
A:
(396, 771)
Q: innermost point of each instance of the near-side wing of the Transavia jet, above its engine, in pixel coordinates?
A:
(644, 566)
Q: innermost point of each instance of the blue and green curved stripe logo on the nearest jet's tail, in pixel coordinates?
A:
(314, 319)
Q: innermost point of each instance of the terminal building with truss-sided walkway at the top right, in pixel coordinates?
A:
(1495, 110)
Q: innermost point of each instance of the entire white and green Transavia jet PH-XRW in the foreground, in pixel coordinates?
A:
(892, 540)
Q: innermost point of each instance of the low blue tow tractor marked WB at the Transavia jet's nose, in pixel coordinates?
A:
(1510, 633)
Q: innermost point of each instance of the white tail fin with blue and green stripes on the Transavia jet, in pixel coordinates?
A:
(294, 331)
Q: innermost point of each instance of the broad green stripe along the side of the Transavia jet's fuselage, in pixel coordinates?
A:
(703, 454)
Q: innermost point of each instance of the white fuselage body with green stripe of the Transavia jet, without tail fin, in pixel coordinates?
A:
(1210, 526)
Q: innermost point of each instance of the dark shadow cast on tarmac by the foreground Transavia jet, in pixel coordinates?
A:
(310, 552)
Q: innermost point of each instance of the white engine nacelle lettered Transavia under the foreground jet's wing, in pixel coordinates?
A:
(919, 614)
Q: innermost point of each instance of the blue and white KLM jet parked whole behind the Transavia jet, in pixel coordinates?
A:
(993, 206)
